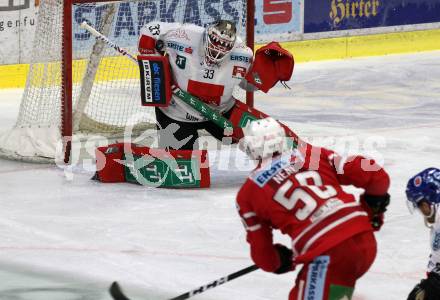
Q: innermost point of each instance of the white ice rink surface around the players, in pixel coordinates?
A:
(63, 236)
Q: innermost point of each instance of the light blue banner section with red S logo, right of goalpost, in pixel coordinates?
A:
(277, 16)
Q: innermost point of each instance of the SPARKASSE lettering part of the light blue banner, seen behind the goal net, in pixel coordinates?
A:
(131, 16)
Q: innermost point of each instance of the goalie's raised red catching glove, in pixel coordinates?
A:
(272, 63)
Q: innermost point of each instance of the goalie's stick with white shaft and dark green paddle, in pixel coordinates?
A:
(189, 99)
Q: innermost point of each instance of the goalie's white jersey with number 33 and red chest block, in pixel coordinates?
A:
(211, 83)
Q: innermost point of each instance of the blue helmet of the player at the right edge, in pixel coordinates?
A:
(423, 186)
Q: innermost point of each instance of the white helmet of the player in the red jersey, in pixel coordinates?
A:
(263, 139)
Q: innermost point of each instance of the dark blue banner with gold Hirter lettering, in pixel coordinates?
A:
(331, 15)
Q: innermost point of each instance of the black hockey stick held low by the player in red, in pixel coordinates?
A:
(117, 294)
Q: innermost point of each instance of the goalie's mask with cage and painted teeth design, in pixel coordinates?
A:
(219, 40)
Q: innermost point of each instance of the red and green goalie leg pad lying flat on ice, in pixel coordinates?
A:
(152, 167)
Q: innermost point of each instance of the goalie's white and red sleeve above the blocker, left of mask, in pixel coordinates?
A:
(151, 36)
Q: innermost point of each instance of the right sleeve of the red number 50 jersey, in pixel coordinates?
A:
(361, 172)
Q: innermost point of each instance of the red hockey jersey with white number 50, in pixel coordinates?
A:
(301, 195)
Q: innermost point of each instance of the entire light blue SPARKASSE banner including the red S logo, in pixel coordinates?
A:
(271, 17)
